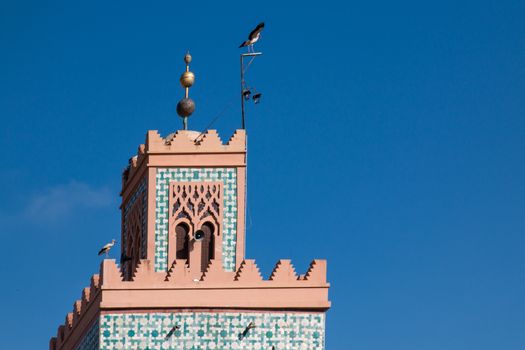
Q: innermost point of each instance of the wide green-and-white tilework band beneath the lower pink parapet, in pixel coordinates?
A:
(203, 330)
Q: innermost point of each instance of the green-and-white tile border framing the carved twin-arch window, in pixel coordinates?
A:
(228, 176)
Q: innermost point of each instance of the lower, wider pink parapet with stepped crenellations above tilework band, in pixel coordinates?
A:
(215, 284)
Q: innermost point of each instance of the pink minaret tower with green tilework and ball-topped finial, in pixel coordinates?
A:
(183, 280)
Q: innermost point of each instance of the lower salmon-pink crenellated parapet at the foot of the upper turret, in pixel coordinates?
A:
(149, 291)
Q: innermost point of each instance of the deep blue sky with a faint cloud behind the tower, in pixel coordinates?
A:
(390, 140)
